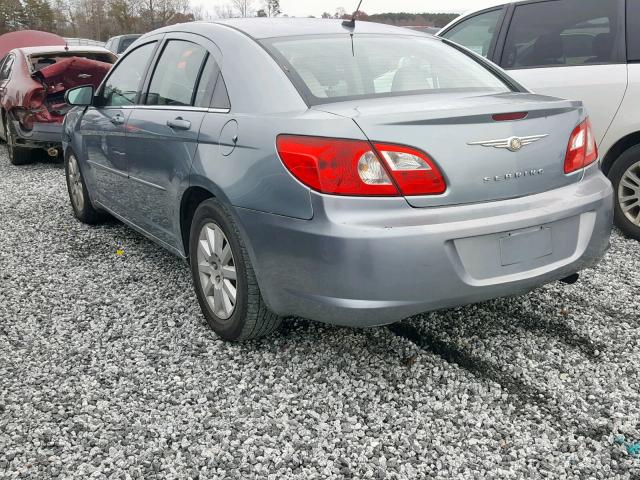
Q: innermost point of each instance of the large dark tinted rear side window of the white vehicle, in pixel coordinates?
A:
(563, 33)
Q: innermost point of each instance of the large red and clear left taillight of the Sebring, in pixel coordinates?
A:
(357, 168)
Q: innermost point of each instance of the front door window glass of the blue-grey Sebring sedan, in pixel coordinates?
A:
(123, 85)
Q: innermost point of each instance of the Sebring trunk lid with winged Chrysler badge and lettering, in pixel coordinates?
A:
(471, 148)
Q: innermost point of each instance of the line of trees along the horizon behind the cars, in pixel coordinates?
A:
(101, 19)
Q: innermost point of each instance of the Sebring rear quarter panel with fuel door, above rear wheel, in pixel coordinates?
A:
(252, 175)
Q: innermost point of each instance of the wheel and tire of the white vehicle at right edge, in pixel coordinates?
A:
(625, 176)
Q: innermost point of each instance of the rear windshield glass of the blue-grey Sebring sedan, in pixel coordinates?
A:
(342, 67)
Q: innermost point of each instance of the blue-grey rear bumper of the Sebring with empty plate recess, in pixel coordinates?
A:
(367, 262)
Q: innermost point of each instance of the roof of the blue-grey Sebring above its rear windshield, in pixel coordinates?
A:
(260, 28)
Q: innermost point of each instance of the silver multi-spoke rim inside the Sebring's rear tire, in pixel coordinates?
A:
(217, 271)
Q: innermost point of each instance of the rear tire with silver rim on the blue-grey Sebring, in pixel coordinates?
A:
(224, 279)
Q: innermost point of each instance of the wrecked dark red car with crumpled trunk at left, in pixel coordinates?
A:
(36, 70)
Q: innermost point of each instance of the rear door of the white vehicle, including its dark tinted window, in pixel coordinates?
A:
(571, 49)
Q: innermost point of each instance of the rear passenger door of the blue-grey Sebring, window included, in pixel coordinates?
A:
(162, 133)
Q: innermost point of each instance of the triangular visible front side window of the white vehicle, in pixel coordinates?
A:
(477, 32)
